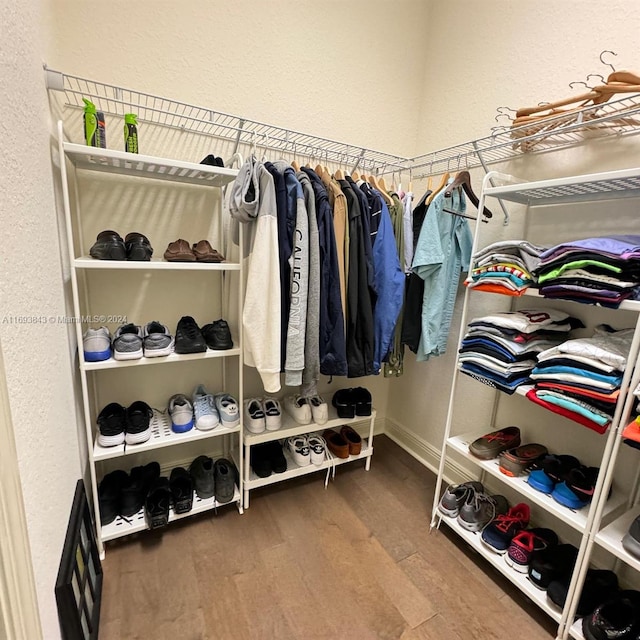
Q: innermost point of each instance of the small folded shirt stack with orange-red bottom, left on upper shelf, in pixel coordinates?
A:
(505, 267)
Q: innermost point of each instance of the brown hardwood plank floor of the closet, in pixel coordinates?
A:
(354, 561)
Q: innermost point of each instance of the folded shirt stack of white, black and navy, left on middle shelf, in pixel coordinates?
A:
(500, 349)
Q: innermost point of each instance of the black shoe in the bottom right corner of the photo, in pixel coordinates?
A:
(618, 617)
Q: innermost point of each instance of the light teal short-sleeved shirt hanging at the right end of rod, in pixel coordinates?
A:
(443, 251)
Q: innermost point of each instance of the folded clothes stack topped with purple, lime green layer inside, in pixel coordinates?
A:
(603, 270)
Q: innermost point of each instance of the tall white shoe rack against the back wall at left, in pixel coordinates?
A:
(80, 167)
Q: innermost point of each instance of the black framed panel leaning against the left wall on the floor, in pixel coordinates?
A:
(78, 587)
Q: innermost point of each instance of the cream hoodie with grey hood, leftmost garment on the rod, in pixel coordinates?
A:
(253, 202)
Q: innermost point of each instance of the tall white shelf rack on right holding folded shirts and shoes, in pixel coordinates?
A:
(605, 521)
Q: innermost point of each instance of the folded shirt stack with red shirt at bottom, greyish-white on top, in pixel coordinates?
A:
(580, 379)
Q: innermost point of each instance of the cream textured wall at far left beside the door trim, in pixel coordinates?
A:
(37, 360)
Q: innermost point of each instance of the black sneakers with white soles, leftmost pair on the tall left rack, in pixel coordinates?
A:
(118, 424)
